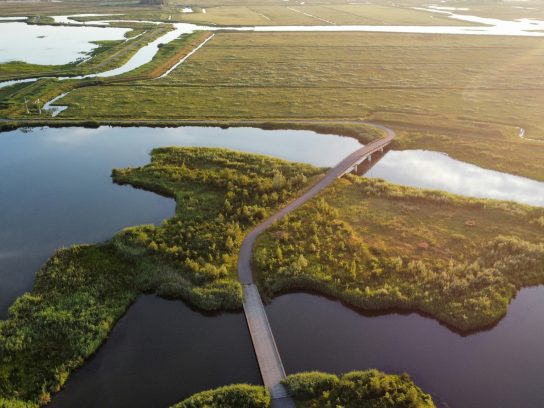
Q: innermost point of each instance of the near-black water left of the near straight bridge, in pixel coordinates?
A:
(159, 353)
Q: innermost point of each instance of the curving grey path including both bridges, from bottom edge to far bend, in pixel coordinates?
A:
(267, 353)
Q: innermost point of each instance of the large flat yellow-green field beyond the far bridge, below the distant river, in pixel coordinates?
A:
(466, 96)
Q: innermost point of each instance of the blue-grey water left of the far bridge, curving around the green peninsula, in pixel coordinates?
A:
(56, 190)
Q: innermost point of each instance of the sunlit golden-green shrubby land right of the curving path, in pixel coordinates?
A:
(378, 247)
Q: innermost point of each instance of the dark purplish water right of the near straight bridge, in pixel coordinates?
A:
(503, 367)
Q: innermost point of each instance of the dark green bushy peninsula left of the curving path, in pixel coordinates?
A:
(82, 291)
